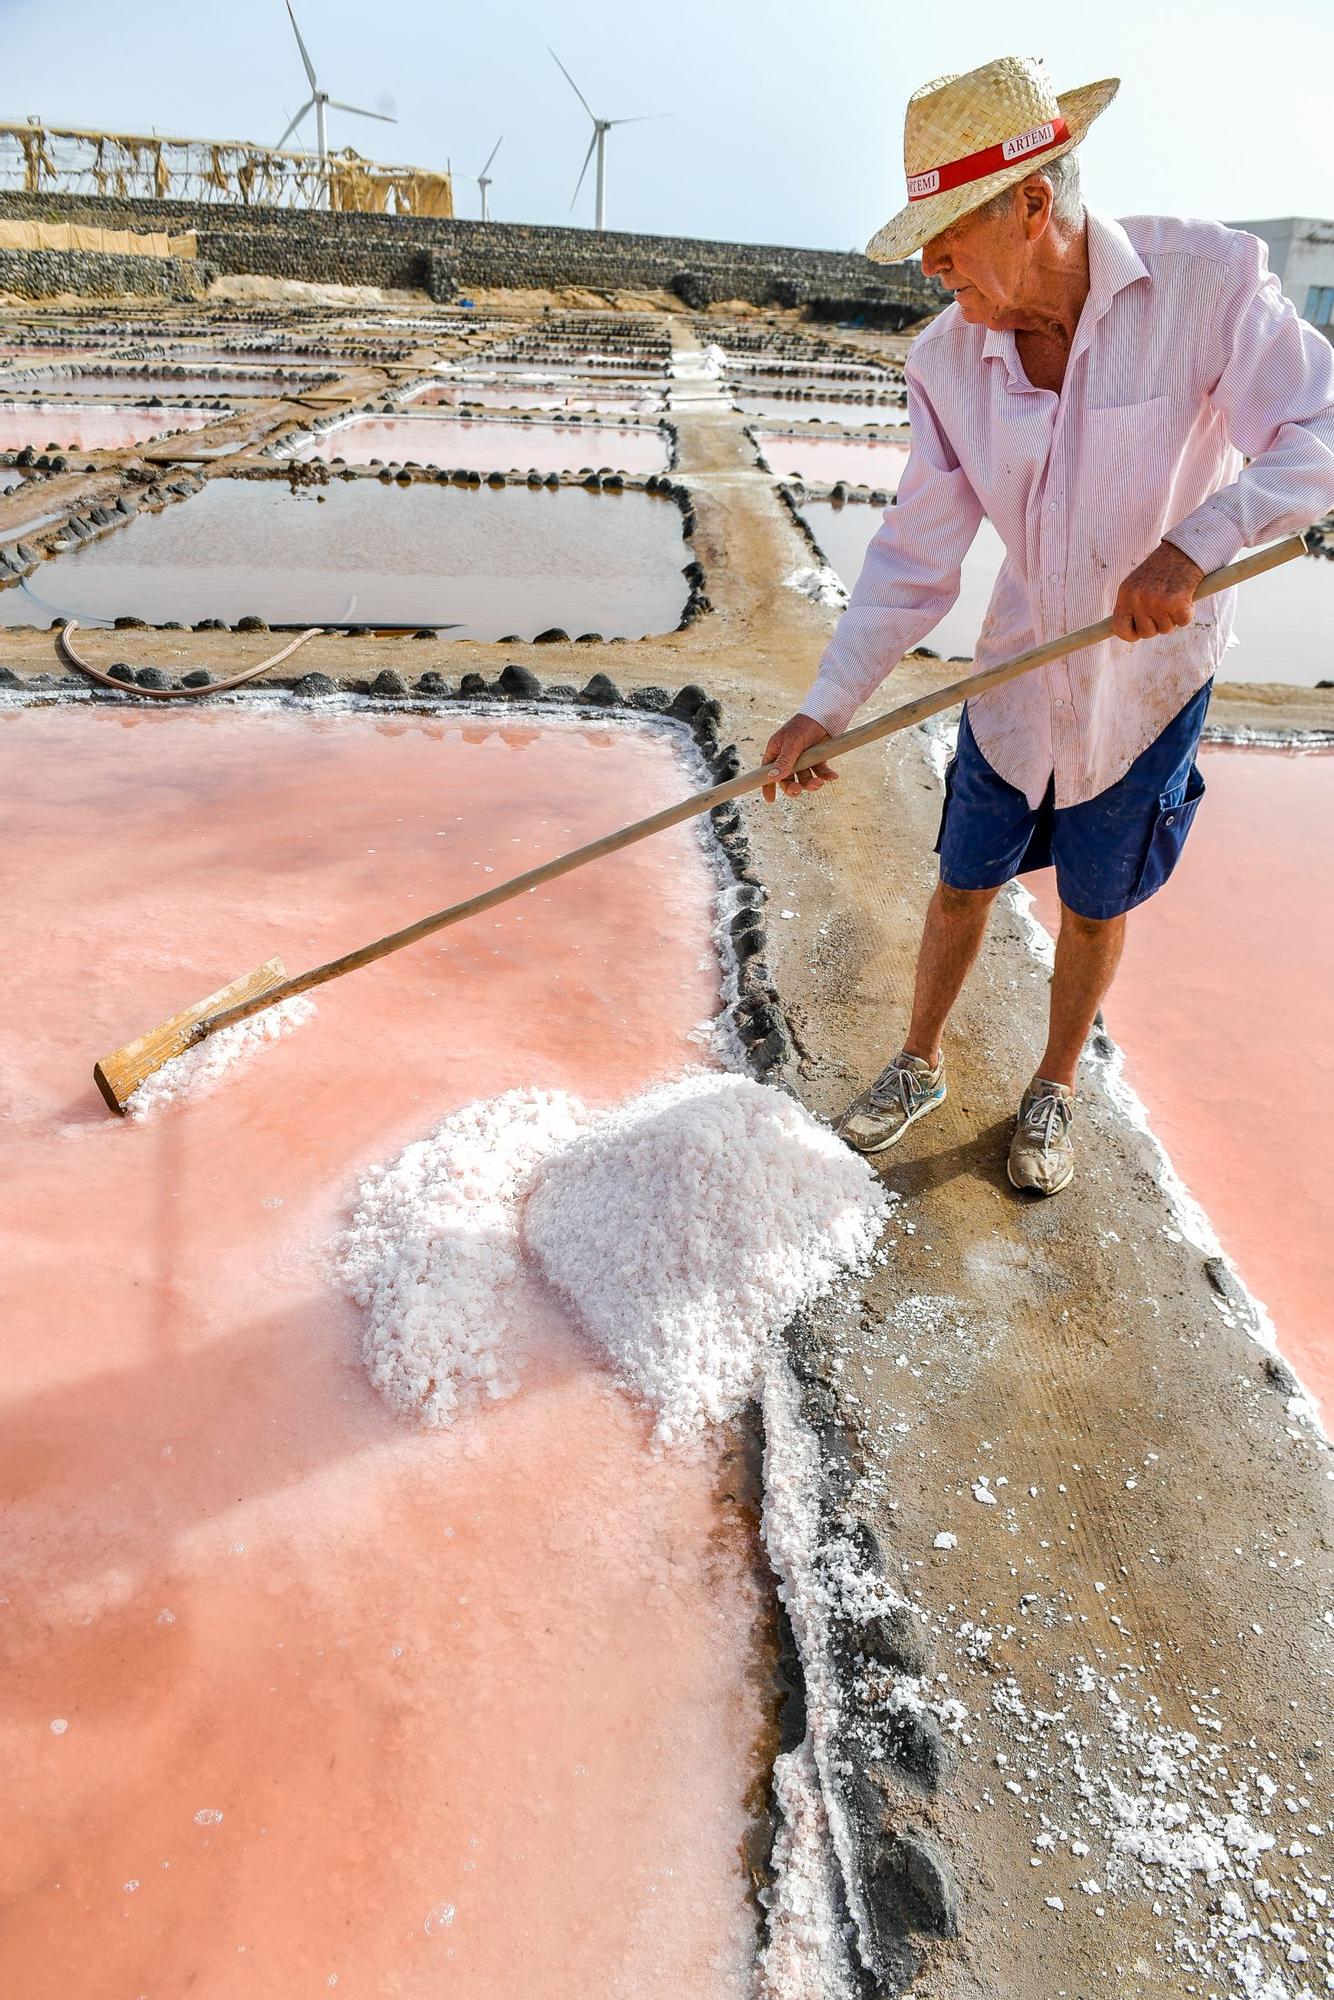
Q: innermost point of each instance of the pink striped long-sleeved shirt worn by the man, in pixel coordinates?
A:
(1187, 361)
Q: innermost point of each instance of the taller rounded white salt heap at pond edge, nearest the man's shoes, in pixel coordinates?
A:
(689, 1227)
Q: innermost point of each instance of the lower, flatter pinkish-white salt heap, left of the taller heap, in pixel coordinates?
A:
(433, 1253)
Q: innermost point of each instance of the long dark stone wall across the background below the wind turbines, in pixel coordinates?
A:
(451, 257)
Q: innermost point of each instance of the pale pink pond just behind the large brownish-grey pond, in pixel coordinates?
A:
(489, 445)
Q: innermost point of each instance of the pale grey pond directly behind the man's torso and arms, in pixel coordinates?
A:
(1285, 619)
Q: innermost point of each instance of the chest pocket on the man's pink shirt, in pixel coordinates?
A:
(1129, 461)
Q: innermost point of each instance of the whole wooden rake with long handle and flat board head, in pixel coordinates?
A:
(121, 1075)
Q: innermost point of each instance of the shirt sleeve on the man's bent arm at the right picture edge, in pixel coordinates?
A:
(1275, 395)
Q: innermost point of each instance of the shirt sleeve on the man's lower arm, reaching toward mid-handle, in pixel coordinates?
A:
(911, 575)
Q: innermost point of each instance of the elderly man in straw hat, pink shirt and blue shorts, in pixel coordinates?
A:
(1095, 391)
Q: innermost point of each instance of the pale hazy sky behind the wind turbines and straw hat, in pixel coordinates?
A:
(785, 117)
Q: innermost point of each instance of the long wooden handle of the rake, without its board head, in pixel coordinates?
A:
(719, 795)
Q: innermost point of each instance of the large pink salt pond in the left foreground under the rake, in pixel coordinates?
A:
(301, 1697)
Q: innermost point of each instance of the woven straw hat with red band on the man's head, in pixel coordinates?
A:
(969, 137)
